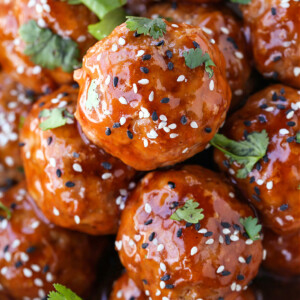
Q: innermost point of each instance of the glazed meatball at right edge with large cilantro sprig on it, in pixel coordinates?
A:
(273, 184)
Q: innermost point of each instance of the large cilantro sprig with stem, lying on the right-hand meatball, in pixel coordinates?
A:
(247, 152)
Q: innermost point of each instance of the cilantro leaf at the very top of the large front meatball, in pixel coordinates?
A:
(154, 27)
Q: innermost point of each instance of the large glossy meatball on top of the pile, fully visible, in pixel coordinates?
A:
(141, 102)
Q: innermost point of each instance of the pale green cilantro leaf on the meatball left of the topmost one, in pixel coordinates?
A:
(56, 117)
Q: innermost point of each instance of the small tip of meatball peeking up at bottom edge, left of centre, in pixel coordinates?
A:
(125, 289)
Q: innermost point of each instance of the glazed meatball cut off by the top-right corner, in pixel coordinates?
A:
(275, 37)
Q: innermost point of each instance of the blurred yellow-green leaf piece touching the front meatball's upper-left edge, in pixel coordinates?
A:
(110, 21)
